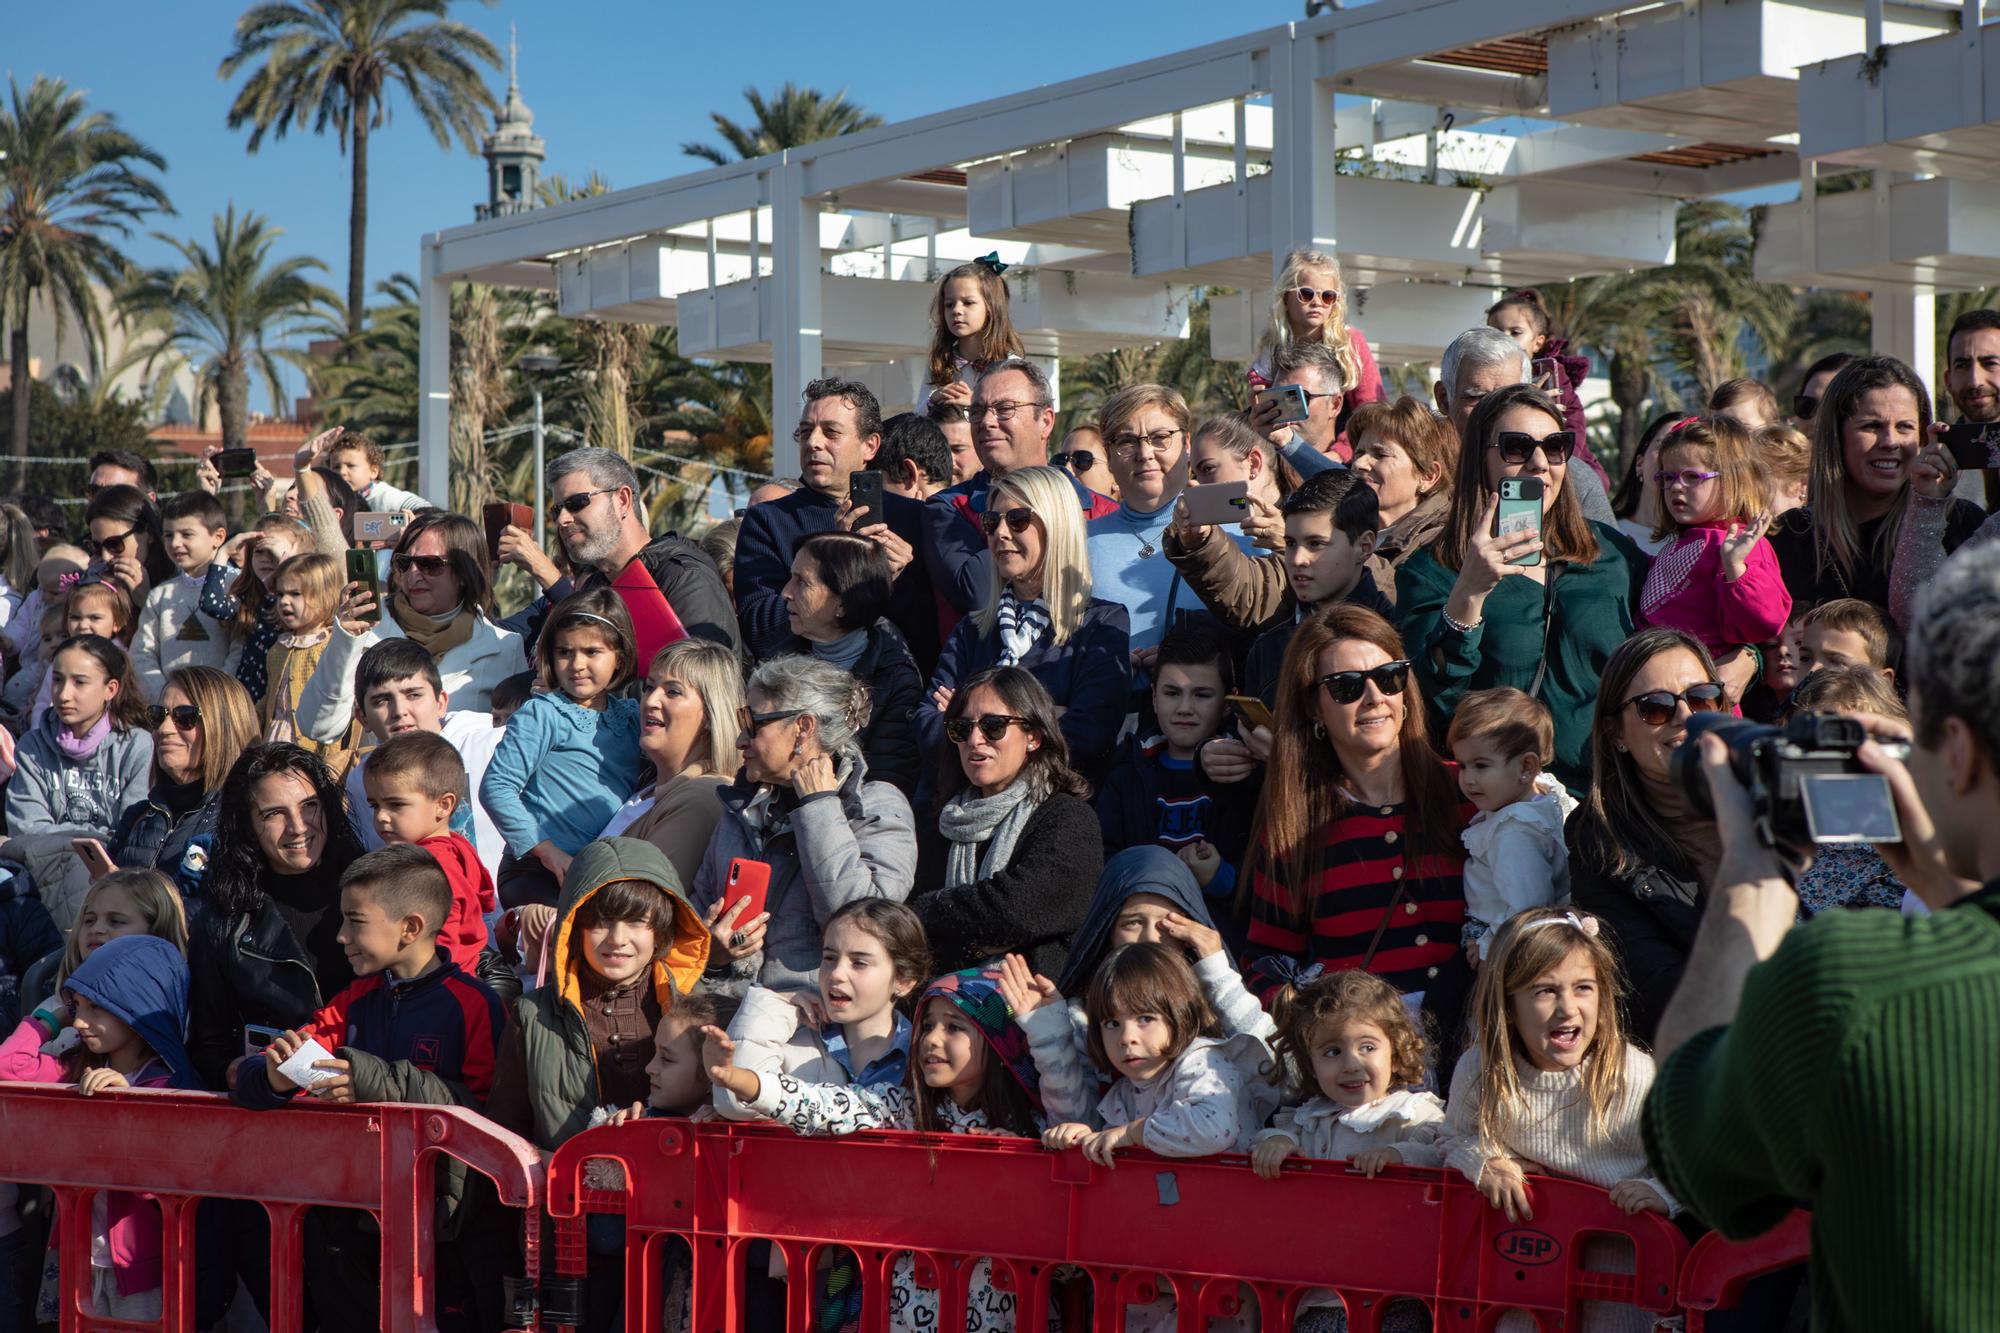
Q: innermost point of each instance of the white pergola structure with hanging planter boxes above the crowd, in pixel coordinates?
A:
(1443, 149)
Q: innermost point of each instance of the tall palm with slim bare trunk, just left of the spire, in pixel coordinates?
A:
(333, 63)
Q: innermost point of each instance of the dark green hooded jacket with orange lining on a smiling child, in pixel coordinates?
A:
(549, 1082)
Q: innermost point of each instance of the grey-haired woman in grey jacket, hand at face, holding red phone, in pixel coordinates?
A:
(805, 808)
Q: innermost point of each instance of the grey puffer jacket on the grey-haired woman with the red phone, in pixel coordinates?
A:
(823, 854)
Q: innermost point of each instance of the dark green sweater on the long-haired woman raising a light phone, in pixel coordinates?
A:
(1591, 617)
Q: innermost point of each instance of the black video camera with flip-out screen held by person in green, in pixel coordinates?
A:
(1805, 784)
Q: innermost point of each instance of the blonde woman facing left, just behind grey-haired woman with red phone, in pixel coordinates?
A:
(687, 728)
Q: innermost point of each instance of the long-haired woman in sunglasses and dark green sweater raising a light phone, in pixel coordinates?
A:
(1541, 609)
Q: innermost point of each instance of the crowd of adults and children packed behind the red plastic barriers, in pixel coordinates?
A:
(1297, 782)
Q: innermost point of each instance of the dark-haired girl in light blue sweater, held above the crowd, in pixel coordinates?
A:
(579, 744)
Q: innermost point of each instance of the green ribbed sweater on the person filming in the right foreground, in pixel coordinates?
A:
(1861, 1080)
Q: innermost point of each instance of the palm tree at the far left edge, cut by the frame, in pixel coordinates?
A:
(69, 183)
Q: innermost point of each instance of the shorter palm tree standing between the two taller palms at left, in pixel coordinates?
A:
(225, 313)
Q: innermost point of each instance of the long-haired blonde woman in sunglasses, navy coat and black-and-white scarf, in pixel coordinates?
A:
(1039, 613)
